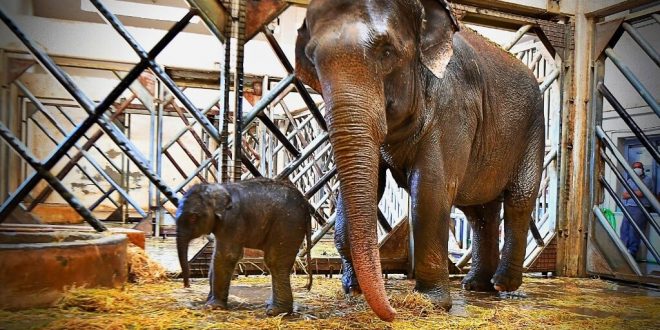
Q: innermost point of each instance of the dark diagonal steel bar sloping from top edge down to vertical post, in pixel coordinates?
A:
(157, 70)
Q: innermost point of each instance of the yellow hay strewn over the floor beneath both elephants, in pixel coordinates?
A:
(543, 303)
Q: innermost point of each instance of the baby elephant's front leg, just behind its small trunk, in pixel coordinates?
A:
(224, 263)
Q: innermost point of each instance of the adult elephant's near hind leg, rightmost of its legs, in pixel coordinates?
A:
(519, 202)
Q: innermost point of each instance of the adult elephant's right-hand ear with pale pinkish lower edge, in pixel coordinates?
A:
(436, 41)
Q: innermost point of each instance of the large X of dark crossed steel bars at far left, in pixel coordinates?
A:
(95, 115)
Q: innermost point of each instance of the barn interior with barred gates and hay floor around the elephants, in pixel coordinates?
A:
(110, 110)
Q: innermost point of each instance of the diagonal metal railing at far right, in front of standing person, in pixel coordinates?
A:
(610, 160)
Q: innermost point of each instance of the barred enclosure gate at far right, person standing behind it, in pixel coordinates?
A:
(607, 254)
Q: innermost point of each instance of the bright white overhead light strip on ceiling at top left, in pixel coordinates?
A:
(140, 10)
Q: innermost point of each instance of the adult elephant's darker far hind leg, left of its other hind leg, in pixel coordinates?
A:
(485, 223)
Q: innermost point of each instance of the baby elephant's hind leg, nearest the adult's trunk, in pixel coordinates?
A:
(280, 261)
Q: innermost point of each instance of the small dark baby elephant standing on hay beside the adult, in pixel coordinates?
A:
(265, 214)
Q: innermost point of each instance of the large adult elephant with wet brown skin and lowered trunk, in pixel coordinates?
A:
(456, 119)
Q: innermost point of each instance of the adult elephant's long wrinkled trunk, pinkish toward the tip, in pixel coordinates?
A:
(356, 131)
